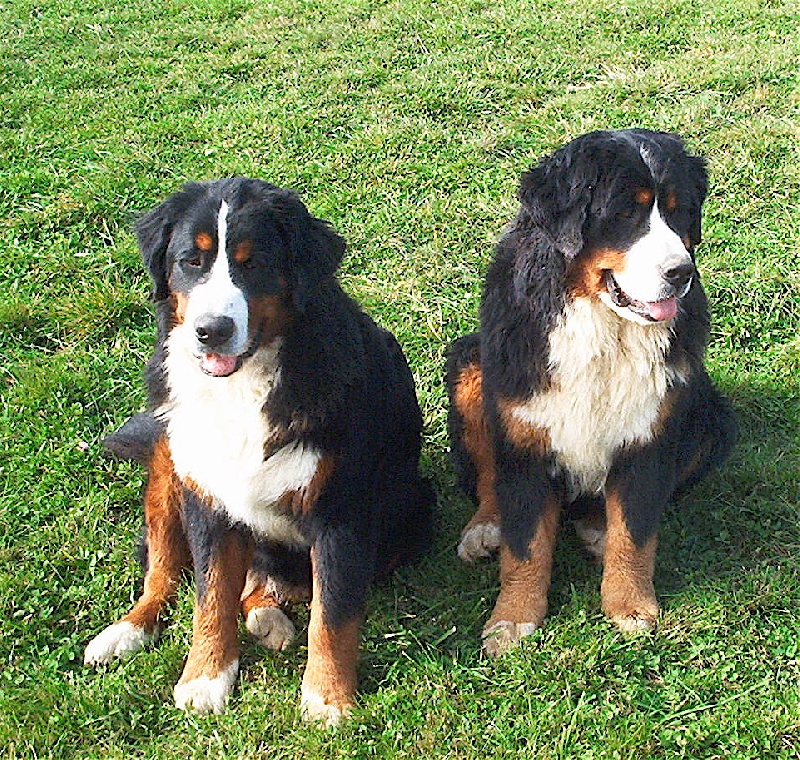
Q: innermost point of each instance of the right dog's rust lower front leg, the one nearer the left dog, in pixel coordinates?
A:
(522, 604)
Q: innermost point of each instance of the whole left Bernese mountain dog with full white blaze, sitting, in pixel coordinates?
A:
(282, 445)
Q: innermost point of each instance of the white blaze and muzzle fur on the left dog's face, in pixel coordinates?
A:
(218, 295)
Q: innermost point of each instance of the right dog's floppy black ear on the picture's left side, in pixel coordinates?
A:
(556, 195)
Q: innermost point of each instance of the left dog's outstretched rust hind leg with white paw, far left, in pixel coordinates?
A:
(167, 556)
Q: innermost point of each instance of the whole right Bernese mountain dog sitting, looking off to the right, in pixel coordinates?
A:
(584, 390)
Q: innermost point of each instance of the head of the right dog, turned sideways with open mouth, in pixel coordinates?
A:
(623, 209)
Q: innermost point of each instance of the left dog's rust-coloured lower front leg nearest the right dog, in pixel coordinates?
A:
(329, 682)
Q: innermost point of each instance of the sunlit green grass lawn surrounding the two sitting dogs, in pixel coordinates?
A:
(406, 124)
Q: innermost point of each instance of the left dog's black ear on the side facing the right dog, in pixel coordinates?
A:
(316, 249)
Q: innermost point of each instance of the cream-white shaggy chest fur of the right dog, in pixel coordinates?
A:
(609, 378)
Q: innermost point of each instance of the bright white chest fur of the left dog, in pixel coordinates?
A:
(217, 431)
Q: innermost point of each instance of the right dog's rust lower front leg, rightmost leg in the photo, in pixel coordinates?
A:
(627, 591)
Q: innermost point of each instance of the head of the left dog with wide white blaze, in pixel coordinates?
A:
(235, 259)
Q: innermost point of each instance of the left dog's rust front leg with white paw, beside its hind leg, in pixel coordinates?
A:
(212, 665)
